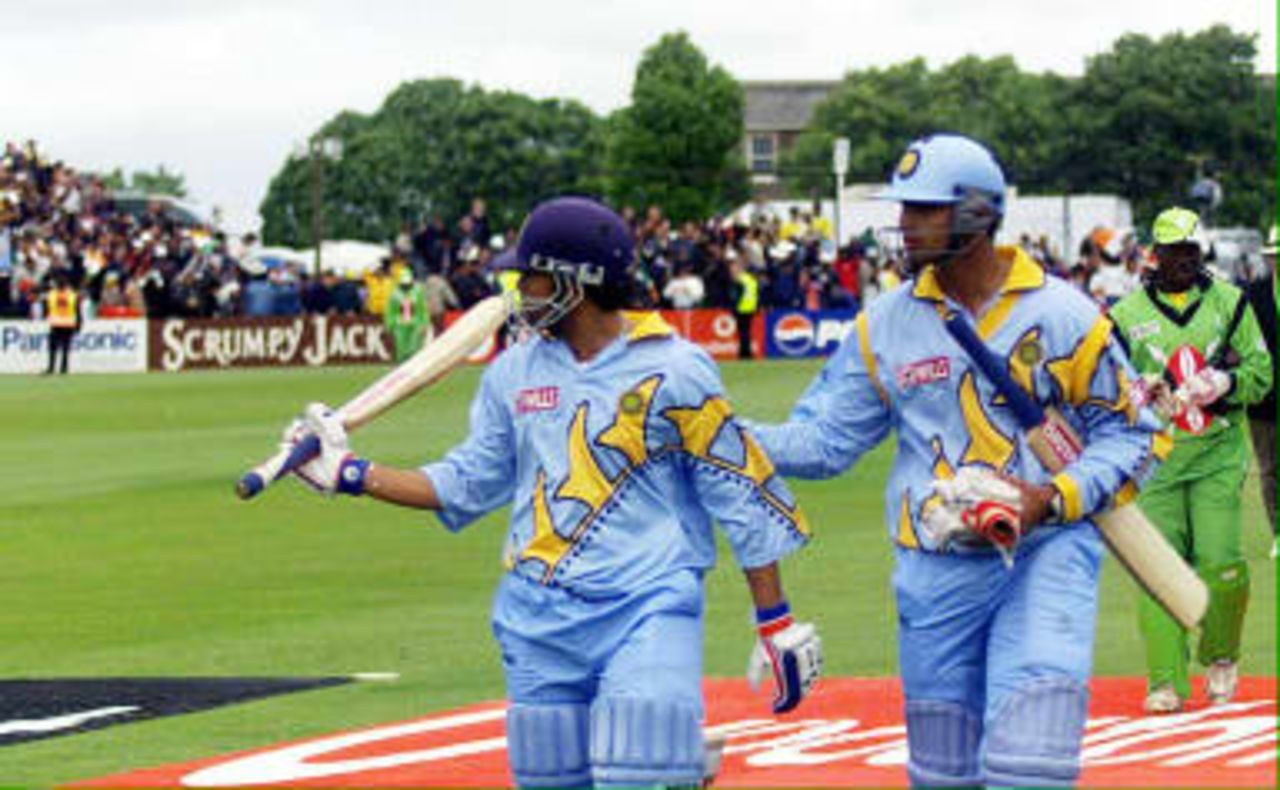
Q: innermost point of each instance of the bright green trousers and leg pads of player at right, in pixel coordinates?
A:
(1195, 501)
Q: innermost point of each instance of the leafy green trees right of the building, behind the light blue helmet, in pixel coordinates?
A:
(1136, 125)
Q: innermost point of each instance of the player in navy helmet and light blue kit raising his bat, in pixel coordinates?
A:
(615, 446)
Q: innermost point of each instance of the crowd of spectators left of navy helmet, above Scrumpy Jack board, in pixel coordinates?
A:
(60, 225)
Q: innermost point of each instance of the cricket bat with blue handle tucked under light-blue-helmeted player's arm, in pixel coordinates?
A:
(1132, 538)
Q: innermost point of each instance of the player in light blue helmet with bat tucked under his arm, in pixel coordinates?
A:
(996, 576)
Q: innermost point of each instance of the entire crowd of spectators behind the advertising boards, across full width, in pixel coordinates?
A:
(61, 223)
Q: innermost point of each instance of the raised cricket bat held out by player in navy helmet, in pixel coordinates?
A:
(424, 368)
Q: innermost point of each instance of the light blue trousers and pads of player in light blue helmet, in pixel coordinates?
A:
(979, 642)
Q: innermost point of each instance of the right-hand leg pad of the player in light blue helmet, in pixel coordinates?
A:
(1034, 739)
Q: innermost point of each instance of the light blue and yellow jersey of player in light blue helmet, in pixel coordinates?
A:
(900, 371)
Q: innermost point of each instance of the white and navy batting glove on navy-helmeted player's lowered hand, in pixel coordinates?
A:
(792, 651)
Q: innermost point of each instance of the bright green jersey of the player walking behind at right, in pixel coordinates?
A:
(1215, 319)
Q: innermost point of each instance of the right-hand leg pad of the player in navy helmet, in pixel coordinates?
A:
(638, 742)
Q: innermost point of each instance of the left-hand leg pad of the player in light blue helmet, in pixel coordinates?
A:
(943, 739)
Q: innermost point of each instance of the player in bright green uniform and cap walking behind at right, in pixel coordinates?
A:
(1204, 359)
